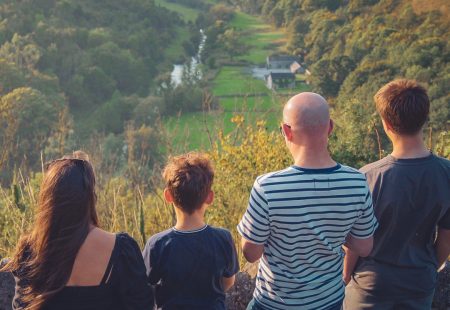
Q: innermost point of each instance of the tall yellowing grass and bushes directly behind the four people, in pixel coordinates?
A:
(139, 209)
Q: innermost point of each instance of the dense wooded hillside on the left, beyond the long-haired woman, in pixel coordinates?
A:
(91, 62)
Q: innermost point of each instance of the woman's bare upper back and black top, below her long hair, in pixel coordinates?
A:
(108, 273)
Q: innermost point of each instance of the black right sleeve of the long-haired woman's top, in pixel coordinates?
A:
(134, 290)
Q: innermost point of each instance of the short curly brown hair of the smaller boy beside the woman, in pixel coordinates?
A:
(189, 179)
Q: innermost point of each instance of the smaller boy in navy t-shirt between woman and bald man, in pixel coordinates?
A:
(192, 264)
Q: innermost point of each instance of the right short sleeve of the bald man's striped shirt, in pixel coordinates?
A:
(366, 224)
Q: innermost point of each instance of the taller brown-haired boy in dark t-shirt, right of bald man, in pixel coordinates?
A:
(411, 198)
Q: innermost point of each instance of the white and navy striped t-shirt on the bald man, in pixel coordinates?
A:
(302, 216)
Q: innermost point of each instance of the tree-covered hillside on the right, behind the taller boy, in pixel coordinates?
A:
(355, 47)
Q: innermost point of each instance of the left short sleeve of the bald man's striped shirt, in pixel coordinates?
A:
(254, 225)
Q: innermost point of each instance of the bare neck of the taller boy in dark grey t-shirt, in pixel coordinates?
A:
(409, 147)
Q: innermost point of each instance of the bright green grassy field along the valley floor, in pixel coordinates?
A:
(237, 92)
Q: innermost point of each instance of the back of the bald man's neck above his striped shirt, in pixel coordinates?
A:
(314, 158)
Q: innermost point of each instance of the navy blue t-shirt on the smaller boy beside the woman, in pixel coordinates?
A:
(186, 267)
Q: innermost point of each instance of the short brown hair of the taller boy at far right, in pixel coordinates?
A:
(404, 105)
